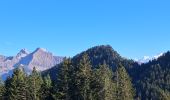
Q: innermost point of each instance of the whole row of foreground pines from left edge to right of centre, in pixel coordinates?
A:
(74, 81)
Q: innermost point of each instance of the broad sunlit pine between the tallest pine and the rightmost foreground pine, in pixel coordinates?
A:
(102, 84)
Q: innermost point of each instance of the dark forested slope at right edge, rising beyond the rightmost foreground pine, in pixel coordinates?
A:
(154, 79)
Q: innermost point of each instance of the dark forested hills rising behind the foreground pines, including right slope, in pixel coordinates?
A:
(150, 80)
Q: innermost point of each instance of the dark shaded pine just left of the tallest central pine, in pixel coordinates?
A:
(63, 80)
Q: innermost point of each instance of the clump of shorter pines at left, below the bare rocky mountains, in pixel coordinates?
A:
(23, 87)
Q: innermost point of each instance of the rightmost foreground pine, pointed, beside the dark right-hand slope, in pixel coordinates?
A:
(124, 89)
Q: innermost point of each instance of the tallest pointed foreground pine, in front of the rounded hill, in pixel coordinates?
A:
(83, 73)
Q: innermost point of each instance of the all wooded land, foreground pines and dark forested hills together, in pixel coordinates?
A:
(99, 73)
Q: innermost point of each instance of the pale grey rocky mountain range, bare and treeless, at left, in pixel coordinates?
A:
(40, 58)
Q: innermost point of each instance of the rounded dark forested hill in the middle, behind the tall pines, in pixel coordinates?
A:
(98, 55)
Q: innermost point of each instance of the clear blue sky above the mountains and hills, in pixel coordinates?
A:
(134, 28)
